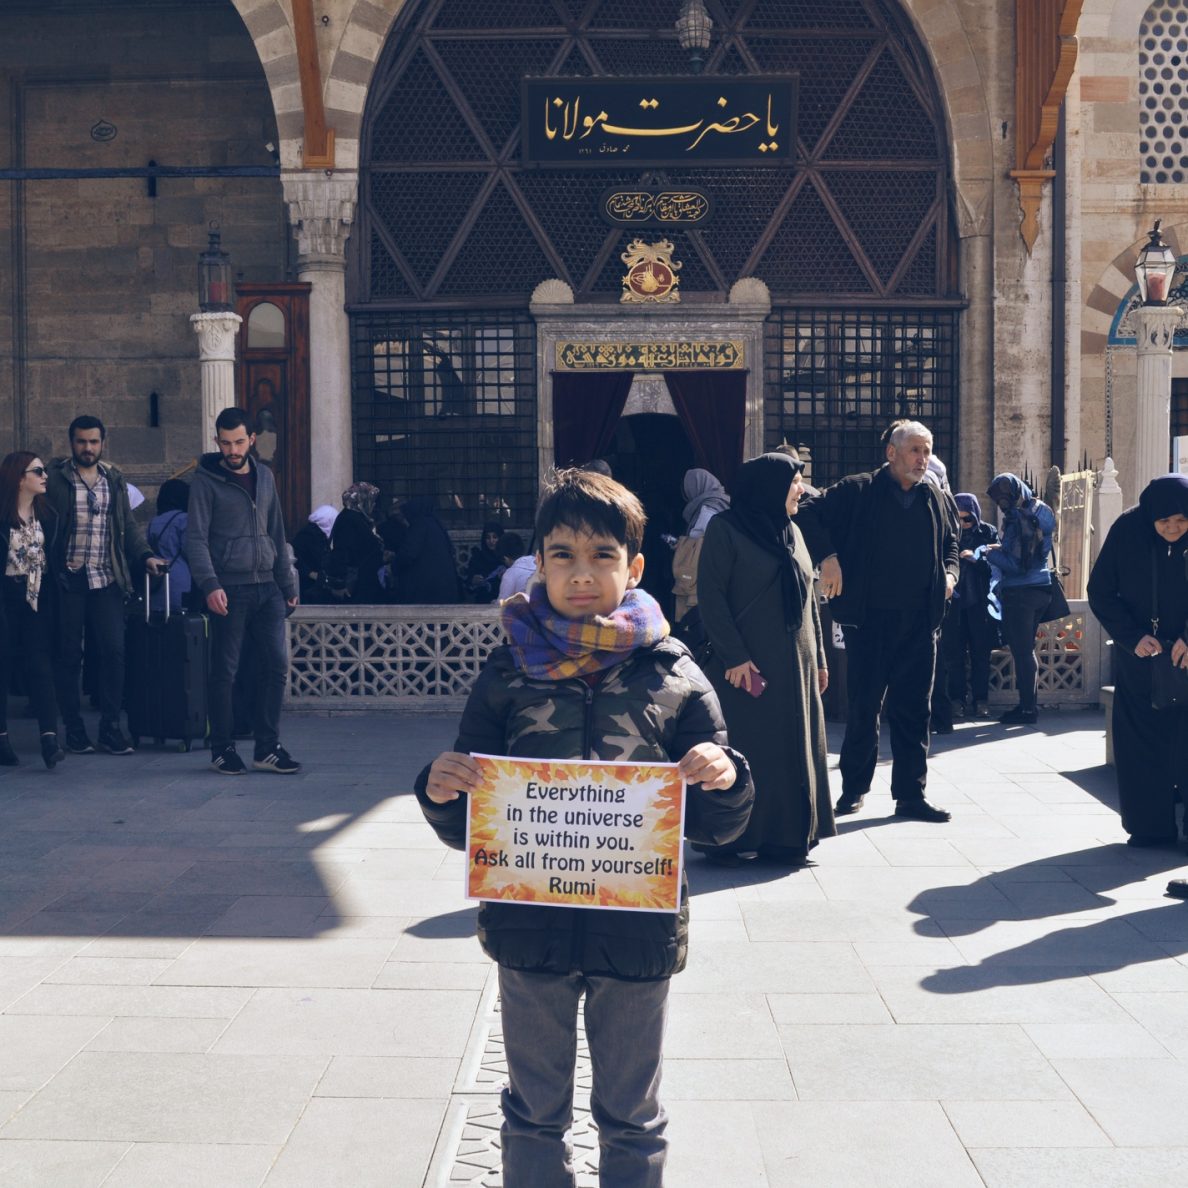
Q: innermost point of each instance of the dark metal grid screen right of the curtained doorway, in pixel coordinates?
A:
(837, 378)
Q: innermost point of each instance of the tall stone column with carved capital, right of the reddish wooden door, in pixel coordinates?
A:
(321, 210)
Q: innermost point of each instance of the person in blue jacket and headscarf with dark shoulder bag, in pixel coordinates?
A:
(1025, 583)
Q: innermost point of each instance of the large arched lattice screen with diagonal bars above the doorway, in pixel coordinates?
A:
(450, 217)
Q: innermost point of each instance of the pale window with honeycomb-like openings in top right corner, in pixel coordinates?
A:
(1164, 93)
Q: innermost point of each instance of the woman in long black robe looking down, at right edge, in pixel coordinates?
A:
(1139, 591)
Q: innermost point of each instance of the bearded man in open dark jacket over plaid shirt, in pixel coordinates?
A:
(99, 551)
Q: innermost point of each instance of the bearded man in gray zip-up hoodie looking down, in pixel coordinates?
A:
(236, 544)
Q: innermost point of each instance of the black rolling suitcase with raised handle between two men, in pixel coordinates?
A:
(168, 662)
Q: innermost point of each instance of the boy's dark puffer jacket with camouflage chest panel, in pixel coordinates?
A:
(656, 705)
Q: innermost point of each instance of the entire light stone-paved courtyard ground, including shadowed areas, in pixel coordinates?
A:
(275, 982)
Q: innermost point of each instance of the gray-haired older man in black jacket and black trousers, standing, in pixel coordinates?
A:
(889, 564)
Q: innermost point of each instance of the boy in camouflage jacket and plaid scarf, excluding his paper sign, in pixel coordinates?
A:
(591, 673)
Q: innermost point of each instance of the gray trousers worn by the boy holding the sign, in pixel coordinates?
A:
(625, 1031)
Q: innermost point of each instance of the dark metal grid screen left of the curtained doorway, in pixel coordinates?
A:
(445, 409)
